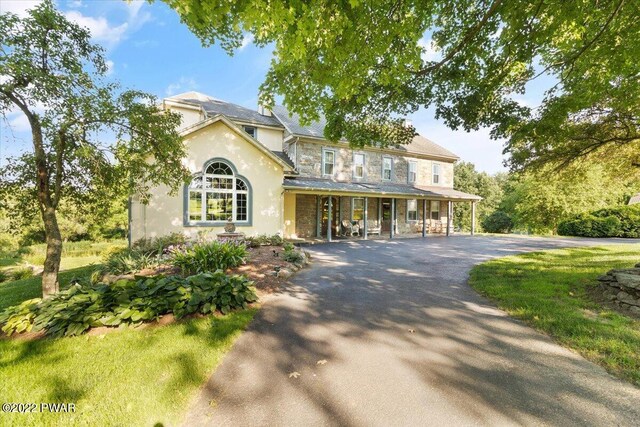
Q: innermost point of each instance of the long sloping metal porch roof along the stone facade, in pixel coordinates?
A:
(314, 185)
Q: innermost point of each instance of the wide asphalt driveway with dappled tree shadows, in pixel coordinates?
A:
(389, 333)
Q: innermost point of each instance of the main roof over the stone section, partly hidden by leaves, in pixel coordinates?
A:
(419, 145)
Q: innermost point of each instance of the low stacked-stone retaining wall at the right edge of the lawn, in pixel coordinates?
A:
(622, 287)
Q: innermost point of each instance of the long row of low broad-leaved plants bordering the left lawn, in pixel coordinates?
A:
(126, 302)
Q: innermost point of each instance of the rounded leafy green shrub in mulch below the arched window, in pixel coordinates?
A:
(211, 256)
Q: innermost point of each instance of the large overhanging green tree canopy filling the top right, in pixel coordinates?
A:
(359, 62)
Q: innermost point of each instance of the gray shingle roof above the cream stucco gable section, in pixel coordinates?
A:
(213, 106)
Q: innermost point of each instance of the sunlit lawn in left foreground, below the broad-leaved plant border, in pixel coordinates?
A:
(127, 377)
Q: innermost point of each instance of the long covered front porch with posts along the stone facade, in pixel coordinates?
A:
(329, 210)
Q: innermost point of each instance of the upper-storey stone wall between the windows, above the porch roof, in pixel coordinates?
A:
(309, 161)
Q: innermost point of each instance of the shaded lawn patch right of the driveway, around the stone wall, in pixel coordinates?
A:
(549, 290)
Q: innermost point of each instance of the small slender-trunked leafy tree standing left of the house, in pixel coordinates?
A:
(54, 75)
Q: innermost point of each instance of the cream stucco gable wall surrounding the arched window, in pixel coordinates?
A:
(165, 213)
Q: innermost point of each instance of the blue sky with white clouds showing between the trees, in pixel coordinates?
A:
(149, 49)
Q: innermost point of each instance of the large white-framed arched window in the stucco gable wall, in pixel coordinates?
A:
(218, 194)
